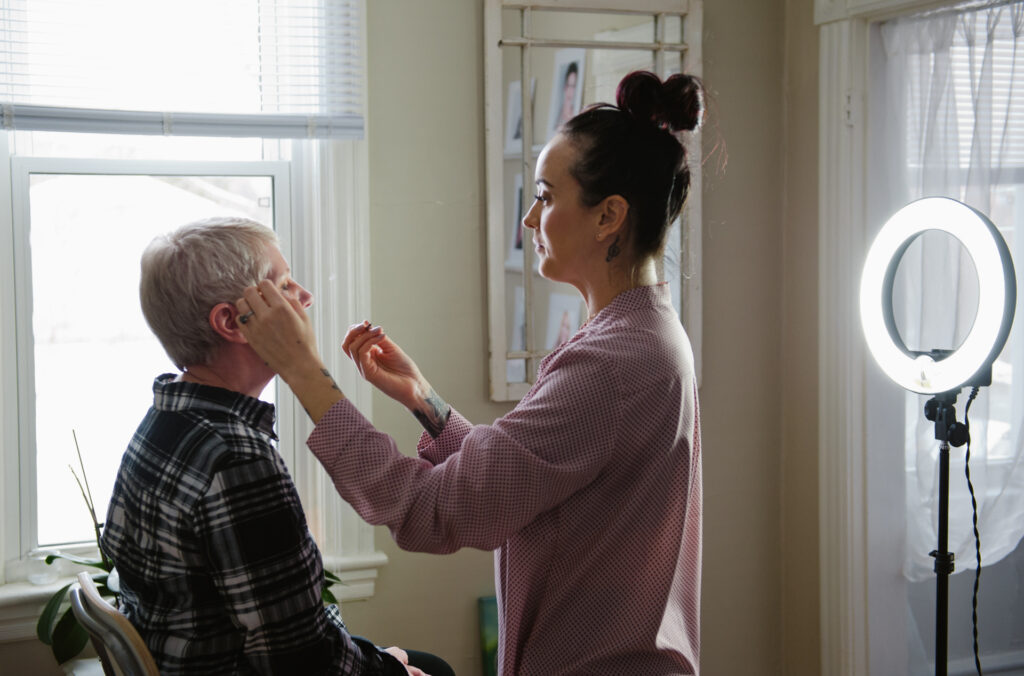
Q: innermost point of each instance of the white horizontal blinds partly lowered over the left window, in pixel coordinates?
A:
(232, 68)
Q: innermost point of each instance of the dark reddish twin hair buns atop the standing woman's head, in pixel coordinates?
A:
(676, 104)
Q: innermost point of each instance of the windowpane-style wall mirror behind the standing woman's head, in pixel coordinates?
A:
(573, 54)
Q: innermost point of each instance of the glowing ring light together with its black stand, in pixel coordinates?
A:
(941, 373)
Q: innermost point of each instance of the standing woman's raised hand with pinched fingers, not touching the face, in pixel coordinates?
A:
(385, 365)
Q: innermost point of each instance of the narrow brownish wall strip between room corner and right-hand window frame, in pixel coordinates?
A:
(800, 347)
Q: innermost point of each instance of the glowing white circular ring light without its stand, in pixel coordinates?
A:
(920, 372)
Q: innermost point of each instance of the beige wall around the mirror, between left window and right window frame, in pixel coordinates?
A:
(759, 395)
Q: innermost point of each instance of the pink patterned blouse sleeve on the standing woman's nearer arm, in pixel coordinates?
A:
(477, 486)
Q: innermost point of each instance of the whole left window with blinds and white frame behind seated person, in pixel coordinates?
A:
(88, 178)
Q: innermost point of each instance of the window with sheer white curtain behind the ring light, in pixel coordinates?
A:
(946, 119)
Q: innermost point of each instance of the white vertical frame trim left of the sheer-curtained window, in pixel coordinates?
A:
(855, 574)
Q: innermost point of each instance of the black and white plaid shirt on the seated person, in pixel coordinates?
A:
(219, 571)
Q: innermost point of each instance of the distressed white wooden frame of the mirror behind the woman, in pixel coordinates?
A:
(686, 240)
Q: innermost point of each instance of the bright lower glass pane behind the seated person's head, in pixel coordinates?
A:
(95, 356)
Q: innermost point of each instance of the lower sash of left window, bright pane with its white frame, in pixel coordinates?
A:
(84, 348)
